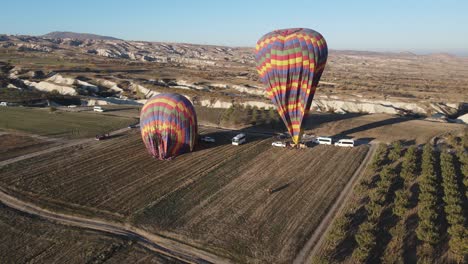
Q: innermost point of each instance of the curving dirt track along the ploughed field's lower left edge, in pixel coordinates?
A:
(153, 242)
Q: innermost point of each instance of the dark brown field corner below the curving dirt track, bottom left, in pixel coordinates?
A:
(27, 239)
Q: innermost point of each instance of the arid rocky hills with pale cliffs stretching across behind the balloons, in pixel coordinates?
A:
(113, 71)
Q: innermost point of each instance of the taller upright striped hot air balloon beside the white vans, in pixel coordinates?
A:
(290, 63)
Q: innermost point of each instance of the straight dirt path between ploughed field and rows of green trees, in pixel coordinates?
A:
(318, 237)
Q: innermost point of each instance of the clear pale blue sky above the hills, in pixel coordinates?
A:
(413, 25)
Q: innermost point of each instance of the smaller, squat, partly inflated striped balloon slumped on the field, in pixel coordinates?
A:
(168, 125)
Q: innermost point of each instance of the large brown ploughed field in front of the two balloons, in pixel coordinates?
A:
(216, 198)
